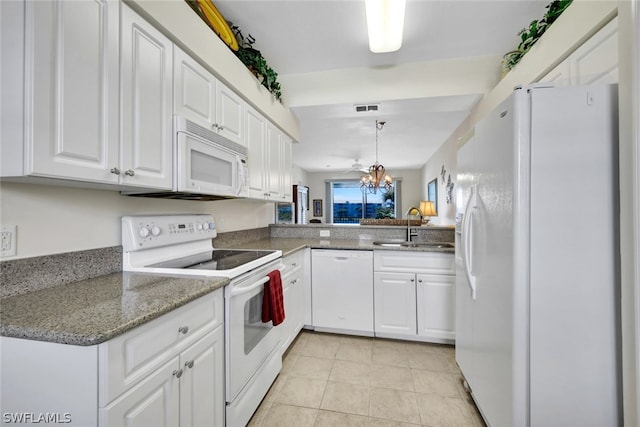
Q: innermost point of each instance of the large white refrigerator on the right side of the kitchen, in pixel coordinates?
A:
(537, 281)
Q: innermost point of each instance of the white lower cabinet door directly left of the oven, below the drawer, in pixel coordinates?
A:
(202, 383)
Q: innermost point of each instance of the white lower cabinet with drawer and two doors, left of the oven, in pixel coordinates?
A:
(167, 372)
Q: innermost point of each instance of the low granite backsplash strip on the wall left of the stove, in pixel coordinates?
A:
(31, 274)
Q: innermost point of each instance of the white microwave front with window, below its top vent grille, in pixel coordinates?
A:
(206, 168)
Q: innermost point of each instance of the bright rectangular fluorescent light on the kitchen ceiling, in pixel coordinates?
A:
(385, 24)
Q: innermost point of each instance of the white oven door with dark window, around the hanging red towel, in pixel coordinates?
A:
(249, 341)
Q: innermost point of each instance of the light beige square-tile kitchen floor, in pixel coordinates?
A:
(340, 381)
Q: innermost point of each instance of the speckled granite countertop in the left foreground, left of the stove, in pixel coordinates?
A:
(95, 310)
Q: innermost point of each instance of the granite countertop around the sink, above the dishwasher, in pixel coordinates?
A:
(290, 245)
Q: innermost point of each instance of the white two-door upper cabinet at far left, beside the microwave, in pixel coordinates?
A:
(85, 67)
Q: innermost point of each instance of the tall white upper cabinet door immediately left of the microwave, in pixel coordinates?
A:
(147, 82)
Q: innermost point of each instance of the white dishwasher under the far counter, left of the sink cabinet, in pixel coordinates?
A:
(342, 291)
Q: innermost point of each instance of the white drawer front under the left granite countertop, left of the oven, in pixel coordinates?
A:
(128, 358)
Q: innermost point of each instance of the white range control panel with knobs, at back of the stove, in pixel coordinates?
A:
(146, 232)
